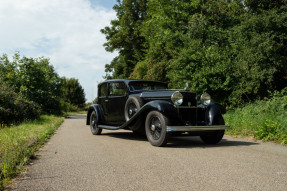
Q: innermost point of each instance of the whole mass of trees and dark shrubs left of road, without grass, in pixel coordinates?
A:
(31, 86)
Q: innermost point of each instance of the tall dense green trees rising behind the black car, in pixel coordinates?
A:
(235, 50)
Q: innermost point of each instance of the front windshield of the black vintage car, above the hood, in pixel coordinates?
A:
(146, 85)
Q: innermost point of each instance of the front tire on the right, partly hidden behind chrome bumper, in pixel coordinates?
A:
(216, 136)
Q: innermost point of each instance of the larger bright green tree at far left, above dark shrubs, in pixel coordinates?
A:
(34, 79)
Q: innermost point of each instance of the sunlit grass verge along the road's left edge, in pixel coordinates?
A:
(18, 144)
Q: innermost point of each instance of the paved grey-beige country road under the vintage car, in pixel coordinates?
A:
(74, 159)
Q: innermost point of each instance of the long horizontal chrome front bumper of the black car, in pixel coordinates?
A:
(196, 128)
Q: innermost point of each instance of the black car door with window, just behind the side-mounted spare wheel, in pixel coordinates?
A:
(117, 96)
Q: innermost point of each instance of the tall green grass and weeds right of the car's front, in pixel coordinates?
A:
(263, 120)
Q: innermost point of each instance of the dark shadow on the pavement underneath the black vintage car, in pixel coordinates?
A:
(181, 142)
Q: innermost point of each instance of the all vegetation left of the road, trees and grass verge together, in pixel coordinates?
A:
(33, 101)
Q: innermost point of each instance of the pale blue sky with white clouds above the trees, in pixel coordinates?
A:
(65, 31)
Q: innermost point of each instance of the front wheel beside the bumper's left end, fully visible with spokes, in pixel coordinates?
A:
(155, 127)
